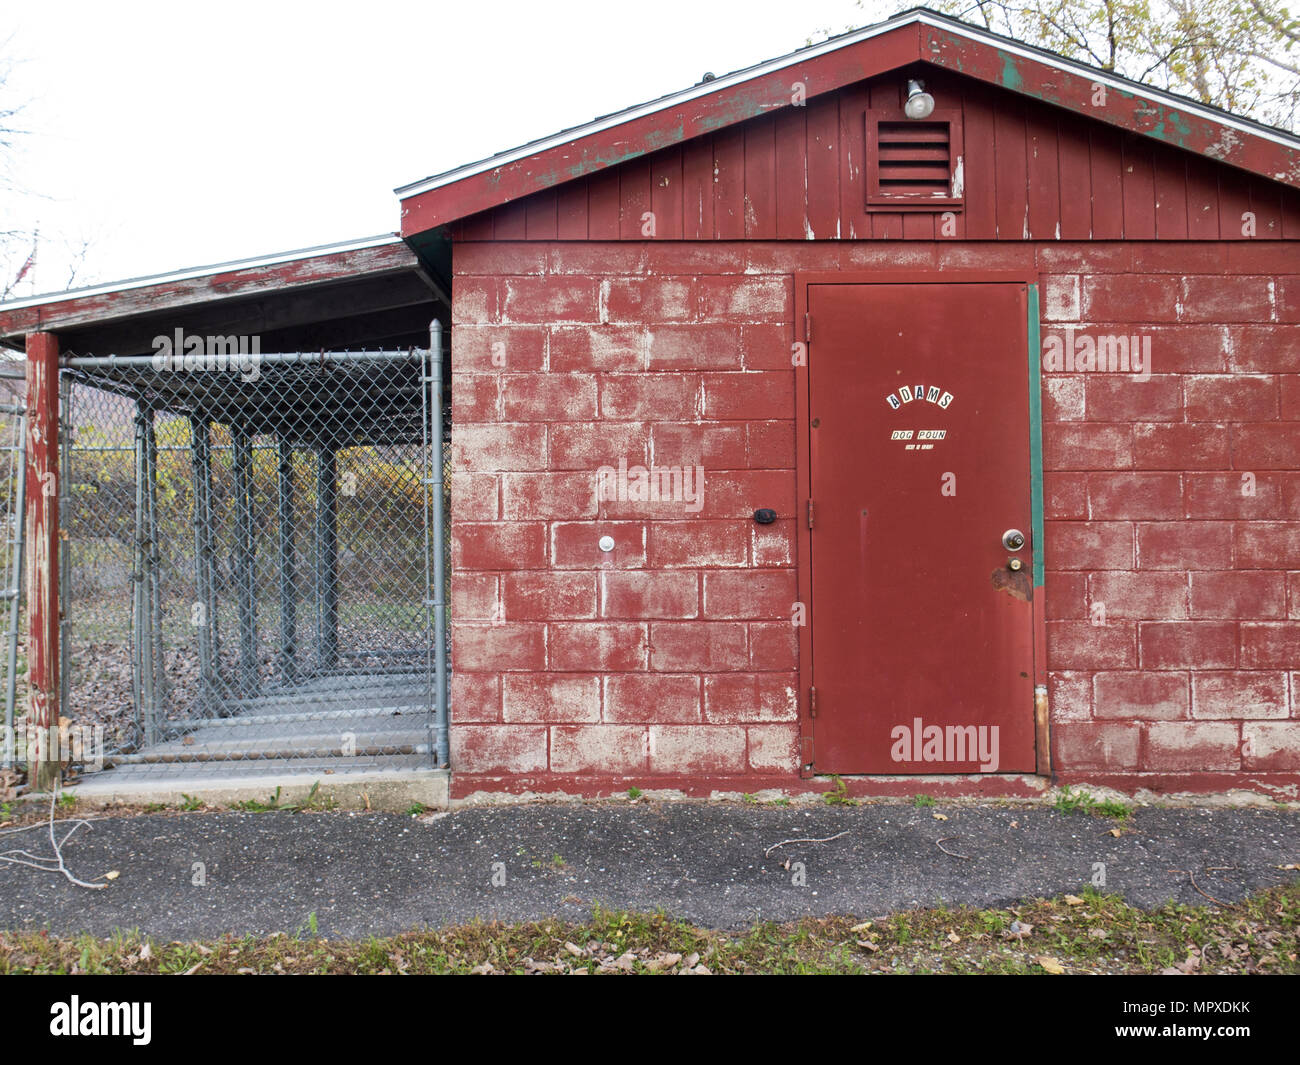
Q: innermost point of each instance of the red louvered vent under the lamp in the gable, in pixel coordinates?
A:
(915, 164)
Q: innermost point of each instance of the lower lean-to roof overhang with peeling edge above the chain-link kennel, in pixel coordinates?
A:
(367, 292)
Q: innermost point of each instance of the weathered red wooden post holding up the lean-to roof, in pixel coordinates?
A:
(42, 559)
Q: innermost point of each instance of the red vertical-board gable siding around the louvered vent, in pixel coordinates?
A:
(804, 174)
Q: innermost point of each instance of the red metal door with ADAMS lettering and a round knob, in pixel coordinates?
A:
(922, 621)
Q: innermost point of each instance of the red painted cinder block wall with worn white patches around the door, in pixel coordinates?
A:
(1173, 579)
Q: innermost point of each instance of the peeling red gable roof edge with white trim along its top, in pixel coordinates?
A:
(916, 36)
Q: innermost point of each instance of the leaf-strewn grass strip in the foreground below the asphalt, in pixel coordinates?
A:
(1091, 934)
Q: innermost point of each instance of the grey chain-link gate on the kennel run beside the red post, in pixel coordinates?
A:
(249, 560)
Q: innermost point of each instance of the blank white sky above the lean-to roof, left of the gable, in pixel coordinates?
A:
(177, 135)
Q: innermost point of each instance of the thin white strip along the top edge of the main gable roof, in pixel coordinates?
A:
(972, 33)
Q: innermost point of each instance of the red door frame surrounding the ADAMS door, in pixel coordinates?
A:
(804, 483)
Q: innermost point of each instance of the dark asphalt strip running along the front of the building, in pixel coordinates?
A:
(206, 874)
